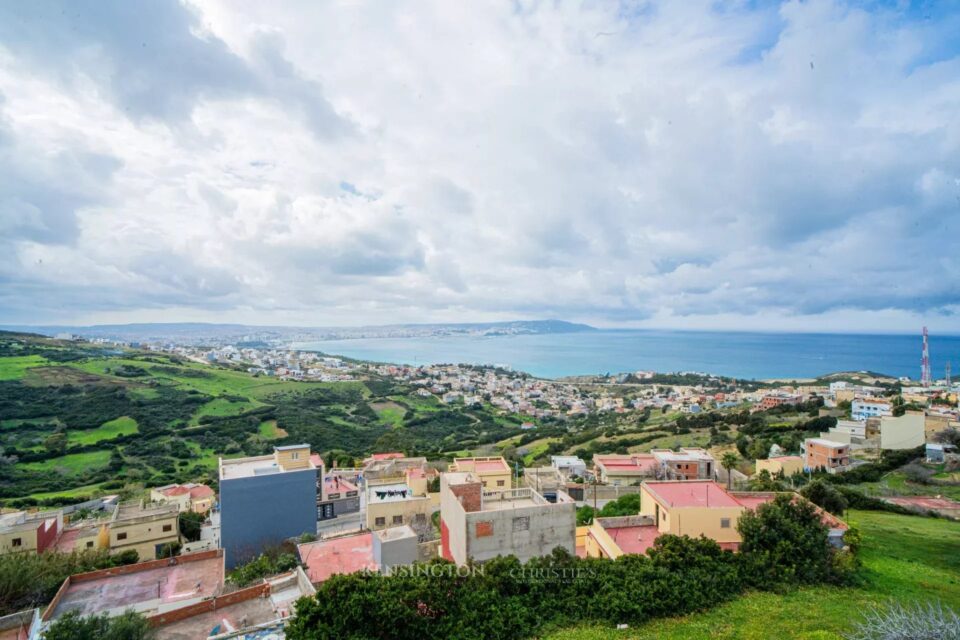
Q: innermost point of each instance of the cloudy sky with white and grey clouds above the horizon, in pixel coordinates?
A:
(689, 164)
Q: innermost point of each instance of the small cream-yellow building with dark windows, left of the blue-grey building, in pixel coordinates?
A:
(145, 530)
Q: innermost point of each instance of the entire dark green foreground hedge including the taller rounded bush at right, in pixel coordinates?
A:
(784, 544)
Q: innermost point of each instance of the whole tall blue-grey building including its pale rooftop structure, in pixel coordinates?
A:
(265, 500)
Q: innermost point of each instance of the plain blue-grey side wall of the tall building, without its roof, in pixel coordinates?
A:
(258, 511)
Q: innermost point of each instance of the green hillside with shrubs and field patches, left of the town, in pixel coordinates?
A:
(77, 419)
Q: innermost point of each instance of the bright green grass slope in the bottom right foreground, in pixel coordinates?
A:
(907, 558)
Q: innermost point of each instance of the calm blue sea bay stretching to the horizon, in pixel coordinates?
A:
(743, 355)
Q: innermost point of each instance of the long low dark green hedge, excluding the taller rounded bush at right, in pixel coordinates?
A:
(507, 600)
